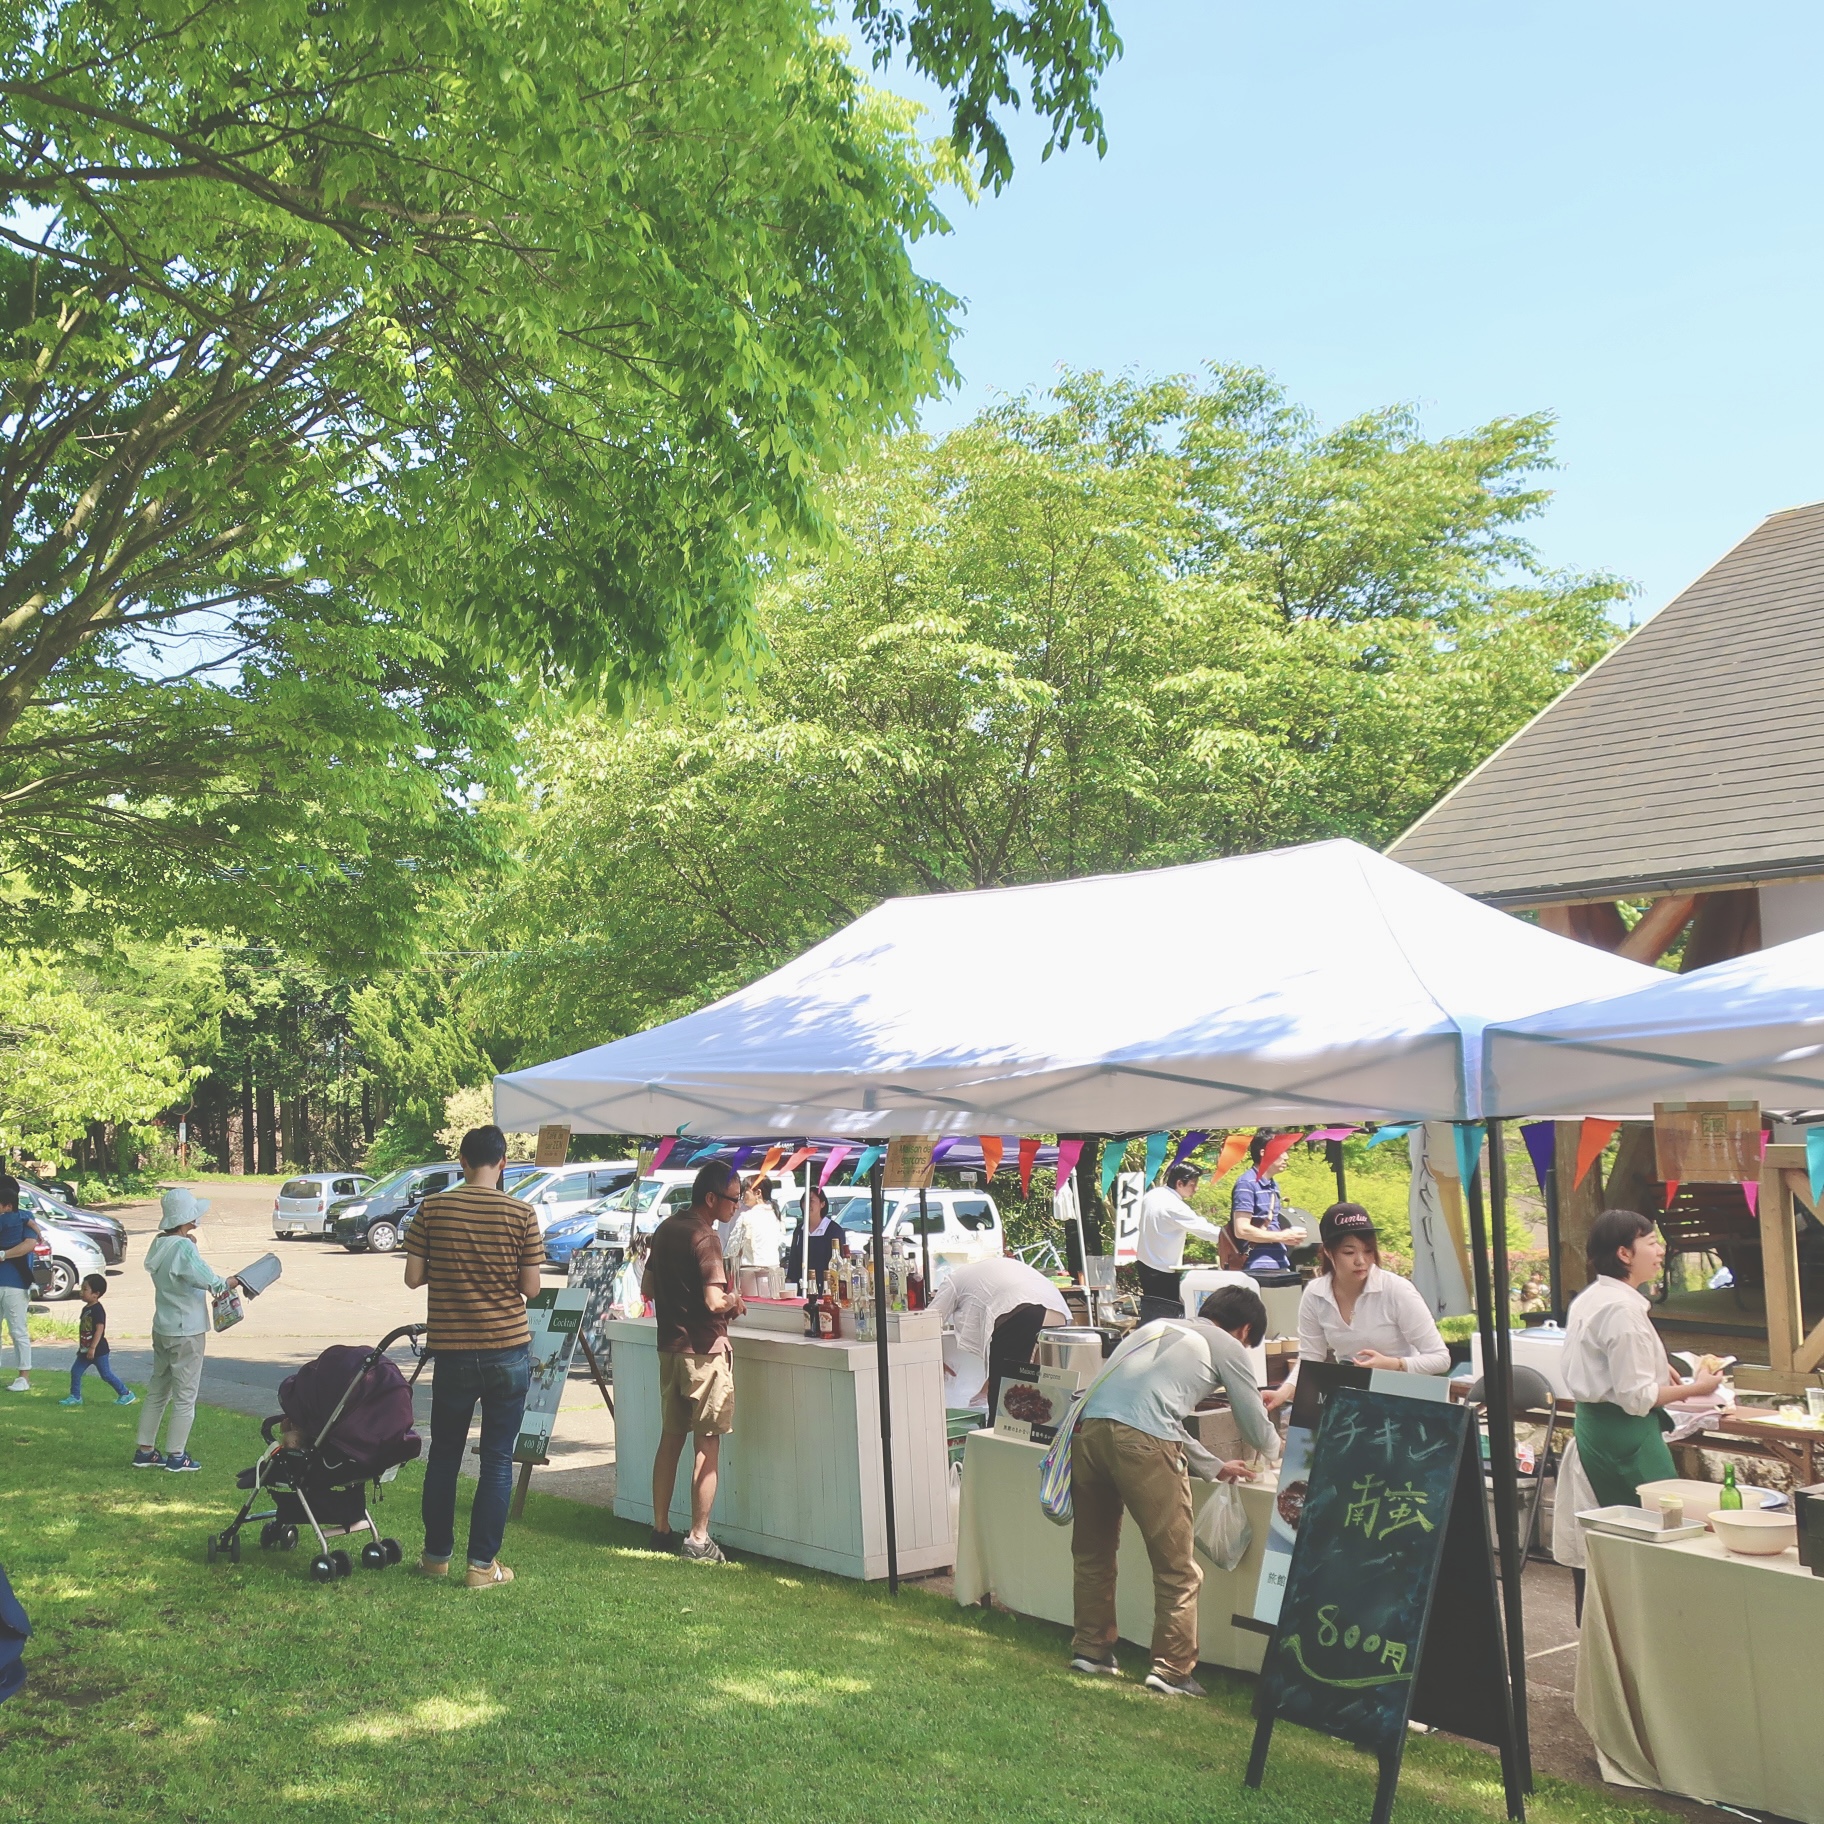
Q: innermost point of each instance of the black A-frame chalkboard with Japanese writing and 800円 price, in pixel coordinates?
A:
(1391, 1610)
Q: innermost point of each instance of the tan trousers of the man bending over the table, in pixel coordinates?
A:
(1115, 1467)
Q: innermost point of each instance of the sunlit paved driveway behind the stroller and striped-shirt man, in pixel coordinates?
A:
(326, 1296)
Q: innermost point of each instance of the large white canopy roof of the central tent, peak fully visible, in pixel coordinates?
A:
(1285, 988)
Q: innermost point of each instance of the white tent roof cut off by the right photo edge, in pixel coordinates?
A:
(1746, 1030)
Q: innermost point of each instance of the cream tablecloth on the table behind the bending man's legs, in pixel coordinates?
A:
(1008, 1549)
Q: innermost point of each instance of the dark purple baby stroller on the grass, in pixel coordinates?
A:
(346, 1422)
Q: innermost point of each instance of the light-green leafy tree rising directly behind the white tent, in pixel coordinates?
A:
(1123, 627)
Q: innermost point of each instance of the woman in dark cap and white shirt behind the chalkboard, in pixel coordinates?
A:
(1358, 1312)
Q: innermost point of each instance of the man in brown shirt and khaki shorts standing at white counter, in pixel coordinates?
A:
(689, 1287)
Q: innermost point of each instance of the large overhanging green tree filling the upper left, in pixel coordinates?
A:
(353, 349)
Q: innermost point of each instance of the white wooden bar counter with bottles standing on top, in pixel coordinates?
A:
(802, 1471)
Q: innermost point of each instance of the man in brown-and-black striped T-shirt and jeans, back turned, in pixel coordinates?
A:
(481, 1254)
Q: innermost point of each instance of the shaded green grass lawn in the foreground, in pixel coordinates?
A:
(605, 1683)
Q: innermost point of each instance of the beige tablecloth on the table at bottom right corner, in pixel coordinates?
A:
(1701, 1674)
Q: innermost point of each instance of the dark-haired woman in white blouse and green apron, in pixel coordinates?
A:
(1615, 1363)
